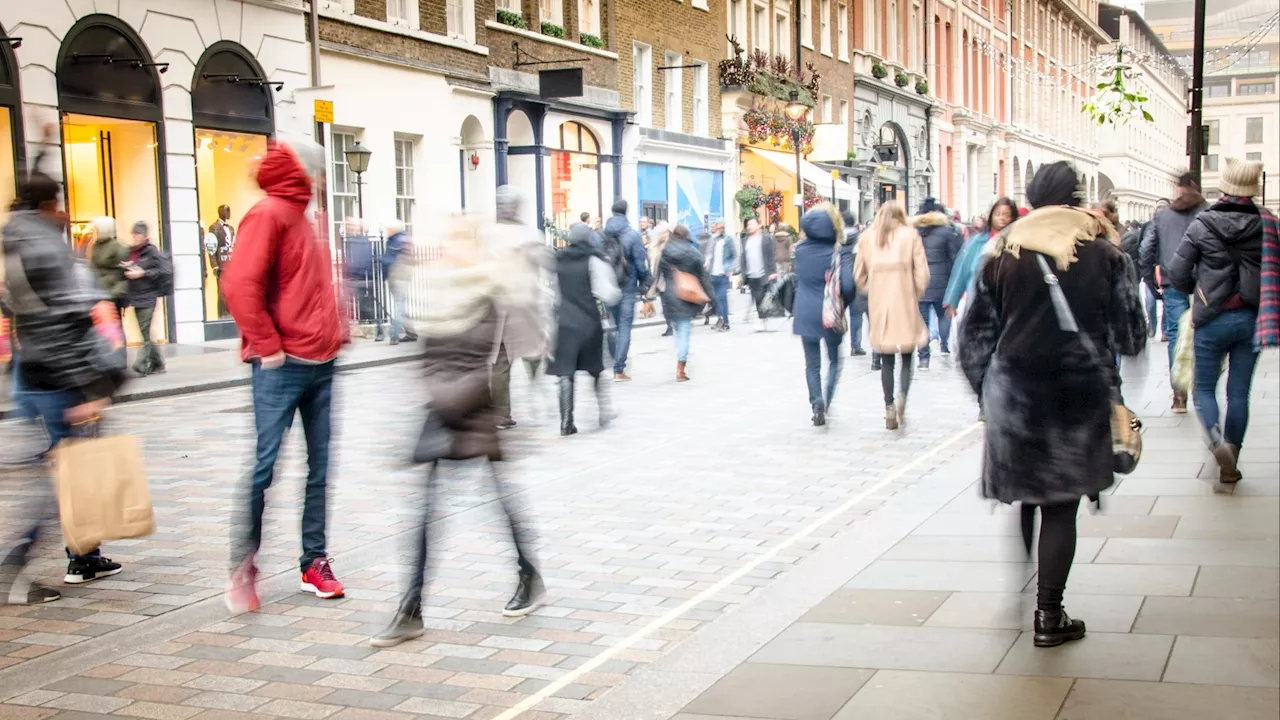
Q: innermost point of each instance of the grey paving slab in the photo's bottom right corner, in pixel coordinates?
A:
(1118, 700)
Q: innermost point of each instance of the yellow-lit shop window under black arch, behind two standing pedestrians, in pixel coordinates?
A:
(112, 171)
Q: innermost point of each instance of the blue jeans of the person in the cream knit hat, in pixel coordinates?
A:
(1229, 336)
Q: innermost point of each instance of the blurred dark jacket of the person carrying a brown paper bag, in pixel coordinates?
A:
(51, 295)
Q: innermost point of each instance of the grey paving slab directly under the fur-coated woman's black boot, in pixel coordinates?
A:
(1109, 657)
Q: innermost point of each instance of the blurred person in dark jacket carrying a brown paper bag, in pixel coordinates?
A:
(65, 372)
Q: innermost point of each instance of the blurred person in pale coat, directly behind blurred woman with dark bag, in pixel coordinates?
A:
(524, 262)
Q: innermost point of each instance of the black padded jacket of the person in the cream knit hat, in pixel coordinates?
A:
(1220, 259)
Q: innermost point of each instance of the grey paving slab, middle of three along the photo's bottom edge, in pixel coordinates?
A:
(949, 696)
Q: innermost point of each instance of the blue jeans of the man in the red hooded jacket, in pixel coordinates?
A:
(278, 395)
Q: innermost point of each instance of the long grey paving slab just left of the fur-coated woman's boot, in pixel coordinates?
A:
(944, 650)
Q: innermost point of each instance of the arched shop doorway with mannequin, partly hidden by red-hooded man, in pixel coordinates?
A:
(234, 115)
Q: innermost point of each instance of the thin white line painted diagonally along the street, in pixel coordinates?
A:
(569, 678)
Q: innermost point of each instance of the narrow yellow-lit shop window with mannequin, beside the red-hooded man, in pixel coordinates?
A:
(226, 163)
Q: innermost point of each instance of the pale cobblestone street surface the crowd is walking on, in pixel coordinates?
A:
(678, 528)
